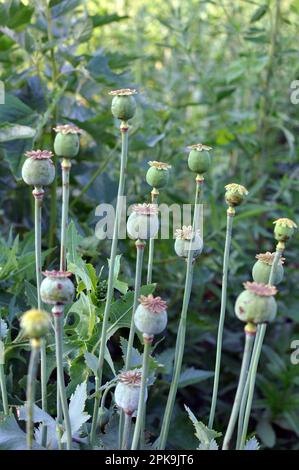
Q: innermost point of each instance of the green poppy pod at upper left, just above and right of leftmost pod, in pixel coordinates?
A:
(66, 143)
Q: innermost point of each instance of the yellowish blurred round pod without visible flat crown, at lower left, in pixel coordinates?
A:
(35, 323)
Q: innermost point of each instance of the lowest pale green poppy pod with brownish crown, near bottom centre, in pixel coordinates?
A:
(127, 391)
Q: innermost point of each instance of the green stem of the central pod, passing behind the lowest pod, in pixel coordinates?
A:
(138, 275)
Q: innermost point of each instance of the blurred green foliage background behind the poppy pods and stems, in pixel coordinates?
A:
(217, 72)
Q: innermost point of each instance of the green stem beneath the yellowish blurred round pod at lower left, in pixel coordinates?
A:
(31, 380)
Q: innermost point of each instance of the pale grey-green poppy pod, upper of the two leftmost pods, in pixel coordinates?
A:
(38, 169)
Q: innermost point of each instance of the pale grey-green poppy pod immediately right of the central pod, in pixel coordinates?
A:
(187, 240)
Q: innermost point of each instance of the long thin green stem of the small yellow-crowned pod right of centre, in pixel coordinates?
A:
(230, 218)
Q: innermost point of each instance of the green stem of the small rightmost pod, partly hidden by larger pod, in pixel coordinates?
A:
(261, 331)
